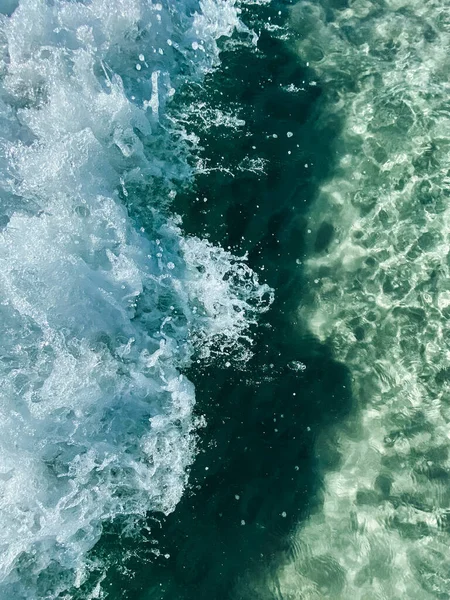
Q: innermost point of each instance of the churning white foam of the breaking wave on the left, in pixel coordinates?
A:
(102, 299)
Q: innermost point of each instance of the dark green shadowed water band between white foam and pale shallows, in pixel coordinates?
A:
(255, 475)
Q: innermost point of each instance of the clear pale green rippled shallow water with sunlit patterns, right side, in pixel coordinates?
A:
(379, 275)
